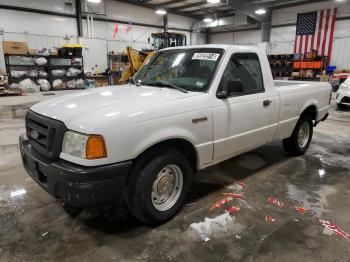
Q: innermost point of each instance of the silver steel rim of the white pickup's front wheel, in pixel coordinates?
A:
(167, 187)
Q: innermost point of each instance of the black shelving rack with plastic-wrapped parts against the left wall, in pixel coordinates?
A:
(48, 67)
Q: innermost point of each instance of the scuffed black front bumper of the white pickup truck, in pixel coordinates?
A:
(79, 186)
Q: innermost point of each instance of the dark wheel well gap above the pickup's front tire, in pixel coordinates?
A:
(183, 146)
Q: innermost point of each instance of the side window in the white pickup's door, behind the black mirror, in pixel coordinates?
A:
(244, 67)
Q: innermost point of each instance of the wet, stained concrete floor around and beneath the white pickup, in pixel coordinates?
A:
(33, 225)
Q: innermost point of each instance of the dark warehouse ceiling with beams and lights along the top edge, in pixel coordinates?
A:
(199, 9)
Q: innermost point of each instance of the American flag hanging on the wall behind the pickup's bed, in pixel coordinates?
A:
(315, 30)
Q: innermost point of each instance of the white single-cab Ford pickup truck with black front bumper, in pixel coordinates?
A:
(187, 109)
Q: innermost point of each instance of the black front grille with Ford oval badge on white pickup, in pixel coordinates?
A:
(45, 134)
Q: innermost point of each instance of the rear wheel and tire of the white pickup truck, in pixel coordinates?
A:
(292, 144)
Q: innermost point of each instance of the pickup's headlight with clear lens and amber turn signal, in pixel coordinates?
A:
(83, 146)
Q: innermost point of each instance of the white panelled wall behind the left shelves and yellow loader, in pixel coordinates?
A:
(40, 30)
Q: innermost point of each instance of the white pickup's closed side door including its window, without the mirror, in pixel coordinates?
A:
(244, 120)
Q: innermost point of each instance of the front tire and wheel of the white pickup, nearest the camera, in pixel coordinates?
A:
(155, 167)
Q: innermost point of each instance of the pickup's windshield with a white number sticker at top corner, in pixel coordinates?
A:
(188, 69)
